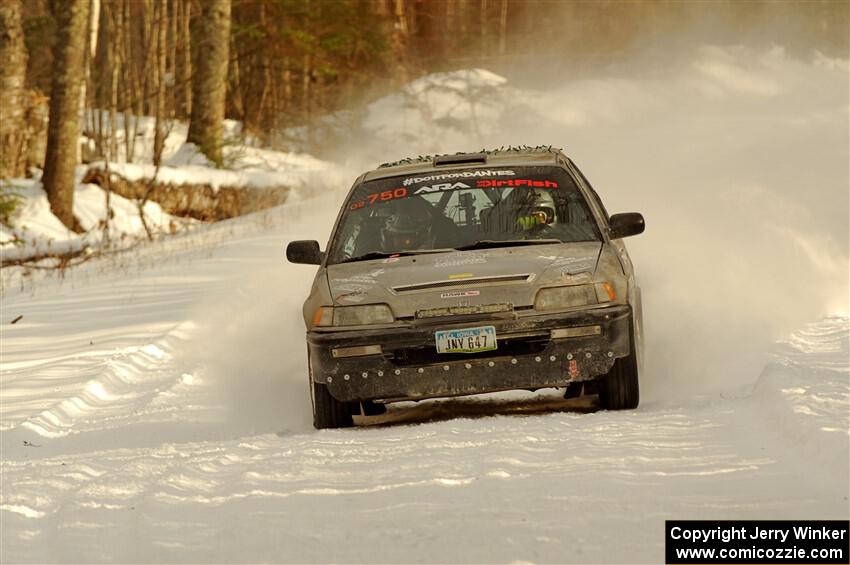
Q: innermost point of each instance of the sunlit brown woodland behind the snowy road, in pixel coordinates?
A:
(278, 66)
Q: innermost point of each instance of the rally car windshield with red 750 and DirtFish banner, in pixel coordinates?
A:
(467, 209)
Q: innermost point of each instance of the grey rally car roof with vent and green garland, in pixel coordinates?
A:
(511, 157)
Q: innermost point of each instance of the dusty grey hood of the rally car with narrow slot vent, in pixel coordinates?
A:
(507, 275)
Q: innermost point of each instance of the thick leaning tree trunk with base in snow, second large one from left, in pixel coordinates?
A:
(63, 130)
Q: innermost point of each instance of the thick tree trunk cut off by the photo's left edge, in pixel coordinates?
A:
(13, 70)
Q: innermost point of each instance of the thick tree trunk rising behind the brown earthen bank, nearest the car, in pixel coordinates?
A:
(209, 79)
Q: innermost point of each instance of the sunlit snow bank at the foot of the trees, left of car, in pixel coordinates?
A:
(37, 232)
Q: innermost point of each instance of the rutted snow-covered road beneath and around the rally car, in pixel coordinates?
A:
(148, 417)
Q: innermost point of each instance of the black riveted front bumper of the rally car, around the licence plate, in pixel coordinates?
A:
(527, 357)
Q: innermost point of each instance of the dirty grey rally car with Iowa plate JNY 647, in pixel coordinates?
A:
(471, 273)
